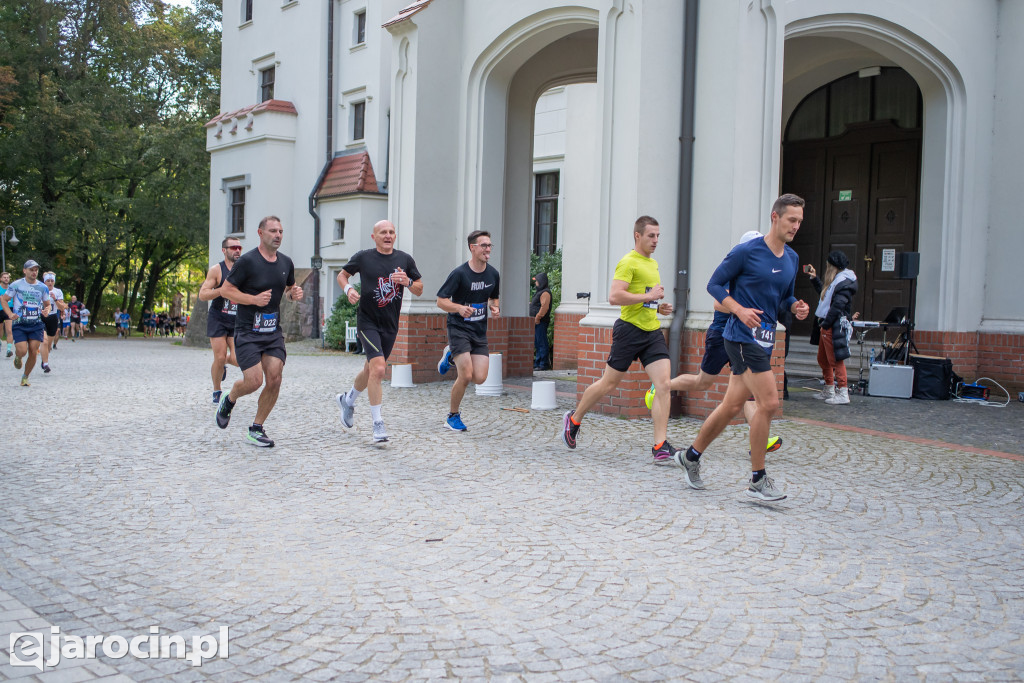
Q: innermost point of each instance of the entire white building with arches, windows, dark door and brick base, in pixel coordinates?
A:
(553, 124)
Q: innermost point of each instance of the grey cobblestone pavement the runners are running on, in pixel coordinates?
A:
(493, 554)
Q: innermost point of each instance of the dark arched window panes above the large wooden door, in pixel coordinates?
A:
(891, 96)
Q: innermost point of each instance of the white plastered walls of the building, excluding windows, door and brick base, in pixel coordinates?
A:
(959, 53)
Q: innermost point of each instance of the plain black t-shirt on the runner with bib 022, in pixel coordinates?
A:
(252, 274)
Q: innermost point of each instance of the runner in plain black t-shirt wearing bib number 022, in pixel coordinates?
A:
(258, 282)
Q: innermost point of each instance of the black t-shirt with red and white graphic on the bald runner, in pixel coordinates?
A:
(380, 300)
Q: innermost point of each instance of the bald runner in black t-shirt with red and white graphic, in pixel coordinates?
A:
(386, 273)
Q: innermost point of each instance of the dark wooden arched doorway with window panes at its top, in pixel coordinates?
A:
(852, 149)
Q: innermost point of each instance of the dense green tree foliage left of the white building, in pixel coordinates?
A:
(104, 170)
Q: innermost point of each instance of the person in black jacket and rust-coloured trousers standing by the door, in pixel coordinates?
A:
(833, 317)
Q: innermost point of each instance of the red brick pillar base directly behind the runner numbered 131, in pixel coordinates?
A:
(422, 338)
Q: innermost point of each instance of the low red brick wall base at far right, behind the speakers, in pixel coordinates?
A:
(978, 355)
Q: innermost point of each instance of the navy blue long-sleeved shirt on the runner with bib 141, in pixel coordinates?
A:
(756, 279)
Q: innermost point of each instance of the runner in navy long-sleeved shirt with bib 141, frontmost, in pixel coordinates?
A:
(754, 282)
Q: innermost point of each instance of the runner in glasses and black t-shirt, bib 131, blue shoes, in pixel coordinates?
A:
(465, 297)
